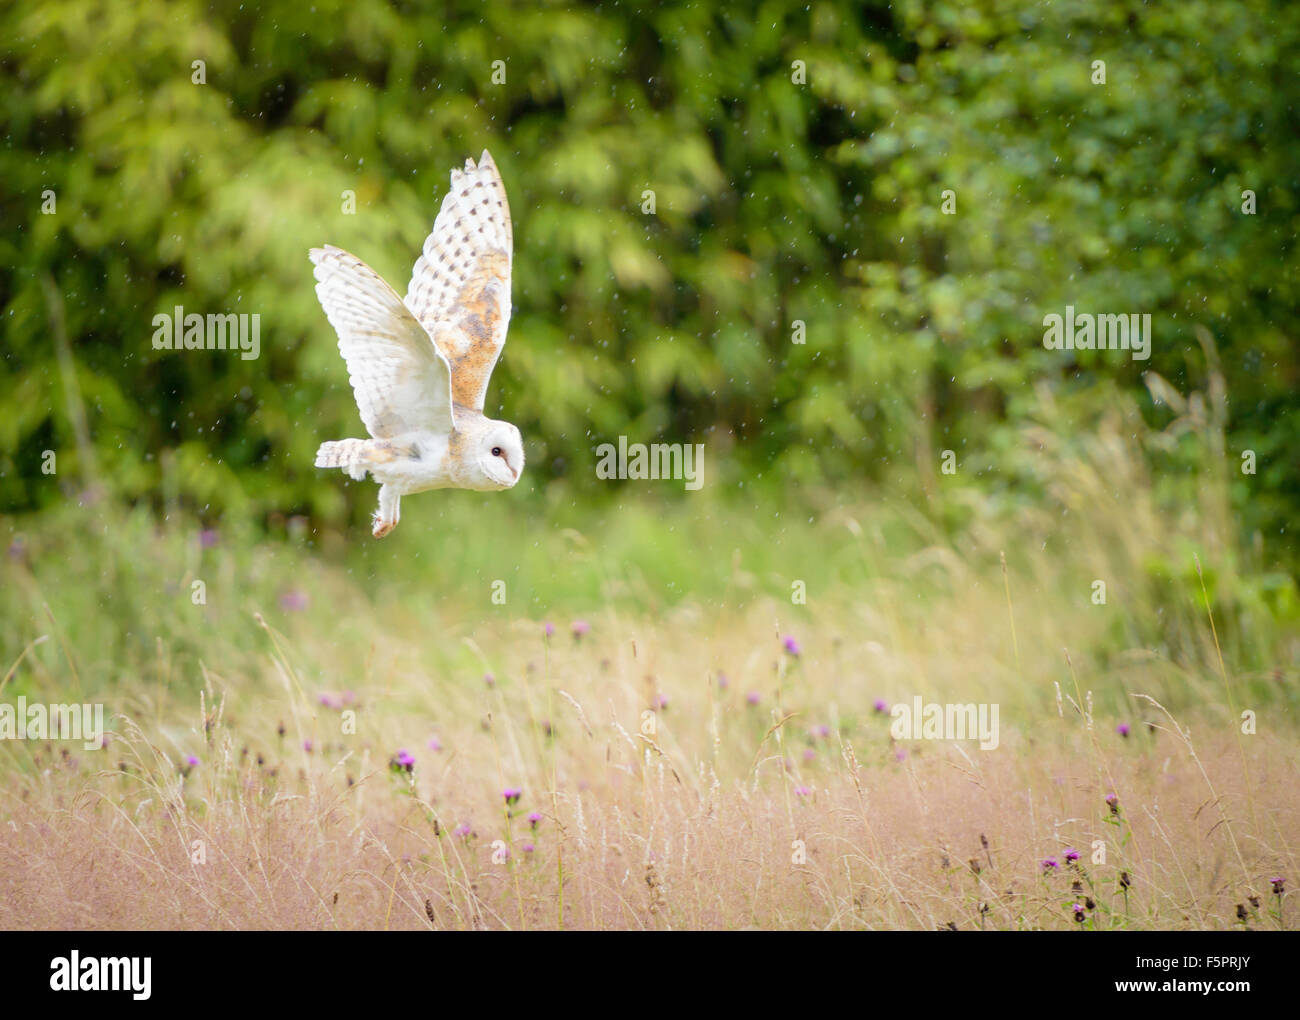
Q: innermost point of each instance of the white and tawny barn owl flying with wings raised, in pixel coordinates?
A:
(421, 364)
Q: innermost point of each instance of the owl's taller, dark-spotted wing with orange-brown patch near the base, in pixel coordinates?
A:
(461, 285)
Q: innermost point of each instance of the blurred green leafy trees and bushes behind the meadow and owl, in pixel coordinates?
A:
(777, 202)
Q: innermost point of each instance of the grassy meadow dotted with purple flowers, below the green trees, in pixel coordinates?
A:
(678, 765)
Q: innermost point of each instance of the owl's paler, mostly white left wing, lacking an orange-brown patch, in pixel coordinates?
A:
(401, 381)
